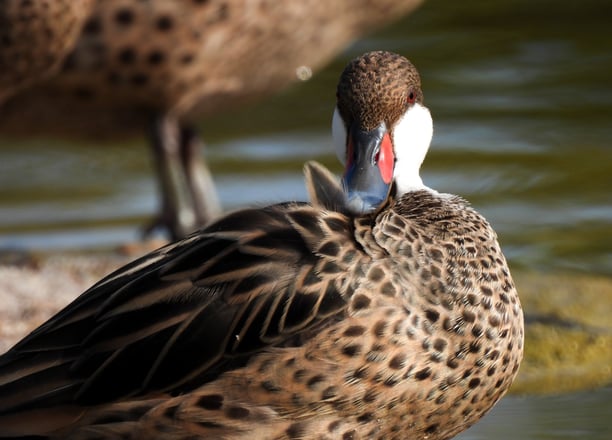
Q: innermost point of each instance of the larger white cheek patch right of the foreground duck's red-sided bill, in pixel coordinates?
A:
(411, 137)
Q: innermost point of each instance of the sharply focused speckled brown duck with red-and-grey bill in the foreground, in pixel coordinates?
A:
(381, 310)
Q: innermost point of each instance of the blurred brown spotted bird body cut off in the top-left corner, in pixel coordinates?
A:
(35, 38)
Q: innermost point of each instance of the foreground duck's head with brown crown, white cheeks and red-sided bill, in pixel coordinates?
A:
(381, 129)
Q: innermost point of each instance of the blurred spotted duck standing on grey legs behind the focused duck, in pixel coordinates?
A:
(160, 67)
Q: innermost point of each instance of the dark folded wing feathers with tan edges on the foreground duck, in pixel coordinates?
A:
(183, 314)
